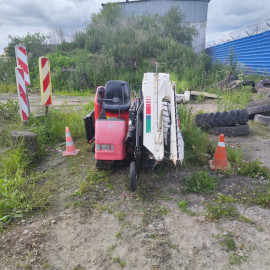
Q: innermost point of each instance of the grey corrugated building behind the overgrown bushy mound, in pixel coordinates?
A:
(195, 13)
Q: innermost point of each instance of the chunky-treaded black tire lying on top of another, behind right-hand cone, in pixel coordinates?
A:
(220, 119)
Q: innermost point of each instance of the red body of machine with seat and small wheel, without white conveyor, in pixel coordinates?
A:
(112, 125)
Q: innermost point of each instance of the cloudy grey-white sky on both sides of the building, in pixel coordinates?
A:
(18, 17)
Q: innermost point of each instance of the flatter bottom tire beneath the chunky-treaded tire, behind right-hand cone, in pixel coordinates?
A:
(230, 131)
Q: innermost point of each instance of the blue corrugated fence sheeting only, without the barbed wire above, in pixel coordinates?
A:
(253, 53)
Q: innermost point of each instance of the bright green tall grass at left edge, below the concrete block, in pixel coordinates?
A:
(19, 191)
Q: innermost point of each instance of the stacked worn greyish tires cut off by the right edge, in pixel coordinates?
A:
(260, 111)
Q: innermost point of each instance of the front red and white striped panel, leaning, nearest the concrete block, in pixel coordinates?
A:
(22, 94)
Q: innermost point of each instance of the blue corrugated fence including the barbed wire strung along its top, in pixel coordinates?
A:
(249, 47)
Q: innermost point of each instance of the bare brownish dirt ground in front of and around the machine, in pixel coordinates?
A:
(109, 227)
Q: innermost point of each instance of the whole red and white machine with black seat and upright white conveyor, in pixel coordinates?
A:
(141, 132)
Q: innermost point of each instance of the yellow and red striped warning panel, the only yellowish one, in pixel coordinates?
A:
(45, 81)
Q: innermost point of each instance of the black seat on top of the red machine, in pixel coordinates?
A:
(119, 90)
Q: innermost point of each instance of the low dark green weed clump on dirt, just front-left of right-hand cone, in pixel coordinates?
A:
(200, 182)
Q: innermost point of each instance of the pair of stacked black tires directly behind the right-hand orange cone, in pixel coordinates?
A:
(230, 123)
